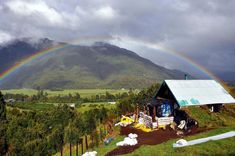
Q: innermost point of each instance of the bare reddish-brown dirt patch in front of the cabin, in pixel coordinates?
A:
(150, 138)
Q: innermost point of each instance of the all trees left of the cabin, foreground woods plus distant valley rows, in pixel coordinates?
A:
(46, 132)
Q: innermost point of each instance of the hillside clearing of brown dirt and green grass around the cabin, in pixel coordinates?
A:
(160, 142)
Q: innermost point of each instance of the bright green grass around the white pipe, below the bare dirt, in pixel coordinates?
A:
(219, 147)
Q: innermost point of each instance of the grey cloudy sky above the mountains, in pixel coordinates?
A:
(203, 30)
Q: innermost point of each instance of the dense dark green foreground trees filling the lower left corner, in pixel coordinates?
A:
(46, 132)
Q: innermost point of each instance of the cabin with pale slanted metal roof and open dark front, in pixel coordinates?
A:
(176, 94)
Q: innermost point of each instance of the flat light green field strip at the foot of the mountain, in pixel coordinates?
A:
(82, 92)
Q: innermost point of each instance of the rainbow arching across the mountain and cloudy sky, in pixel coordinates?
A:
(19, 65)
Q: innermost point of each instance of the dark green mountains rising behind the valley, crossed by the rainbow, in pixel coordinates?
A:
(100, 65)
